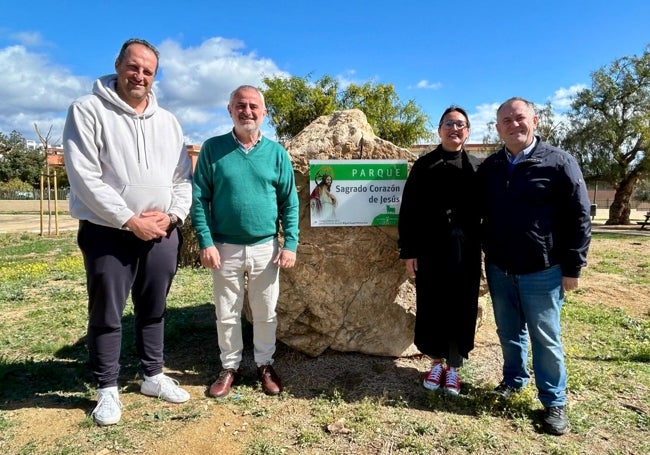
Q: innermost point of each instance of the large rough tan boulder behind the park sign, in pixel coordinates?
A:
(349, 291)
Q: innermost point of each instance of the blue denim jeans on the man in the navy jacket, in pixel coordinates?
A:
(530, 305)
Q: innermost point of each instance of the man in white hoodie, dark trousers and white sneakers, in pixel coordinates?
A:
(130, 187)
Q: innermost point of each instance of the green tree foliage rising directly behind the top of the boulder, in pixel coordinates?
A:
(293, 103)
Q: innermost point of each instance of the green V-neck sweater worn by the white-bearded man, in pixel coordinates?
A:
(242, 198)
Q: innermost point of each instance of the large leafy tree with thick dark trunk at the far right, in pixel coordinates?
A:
(609, 129)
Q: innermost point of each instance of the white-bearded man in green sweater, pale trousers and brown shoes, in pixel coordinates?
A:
(243, 193)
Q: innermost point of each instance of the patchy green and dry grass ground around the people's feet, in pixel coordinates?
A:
(43, 365)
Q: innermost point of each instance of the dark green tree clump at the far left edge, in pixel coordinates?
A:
(18, 161)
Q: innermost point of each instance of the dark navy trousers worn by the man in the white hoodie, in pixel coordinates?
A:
(118, 263)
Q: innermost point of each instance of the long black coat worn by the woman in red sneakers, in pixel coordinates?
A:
(439, 225)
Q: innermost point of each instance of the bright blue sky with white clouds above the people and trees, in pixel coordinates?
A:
(471, 53)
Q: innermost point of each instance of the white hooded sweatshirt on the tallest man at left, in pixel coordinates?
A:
(121, 163)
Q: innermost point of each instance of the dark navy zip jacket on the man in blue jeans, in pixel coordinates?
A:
(535, 215)
